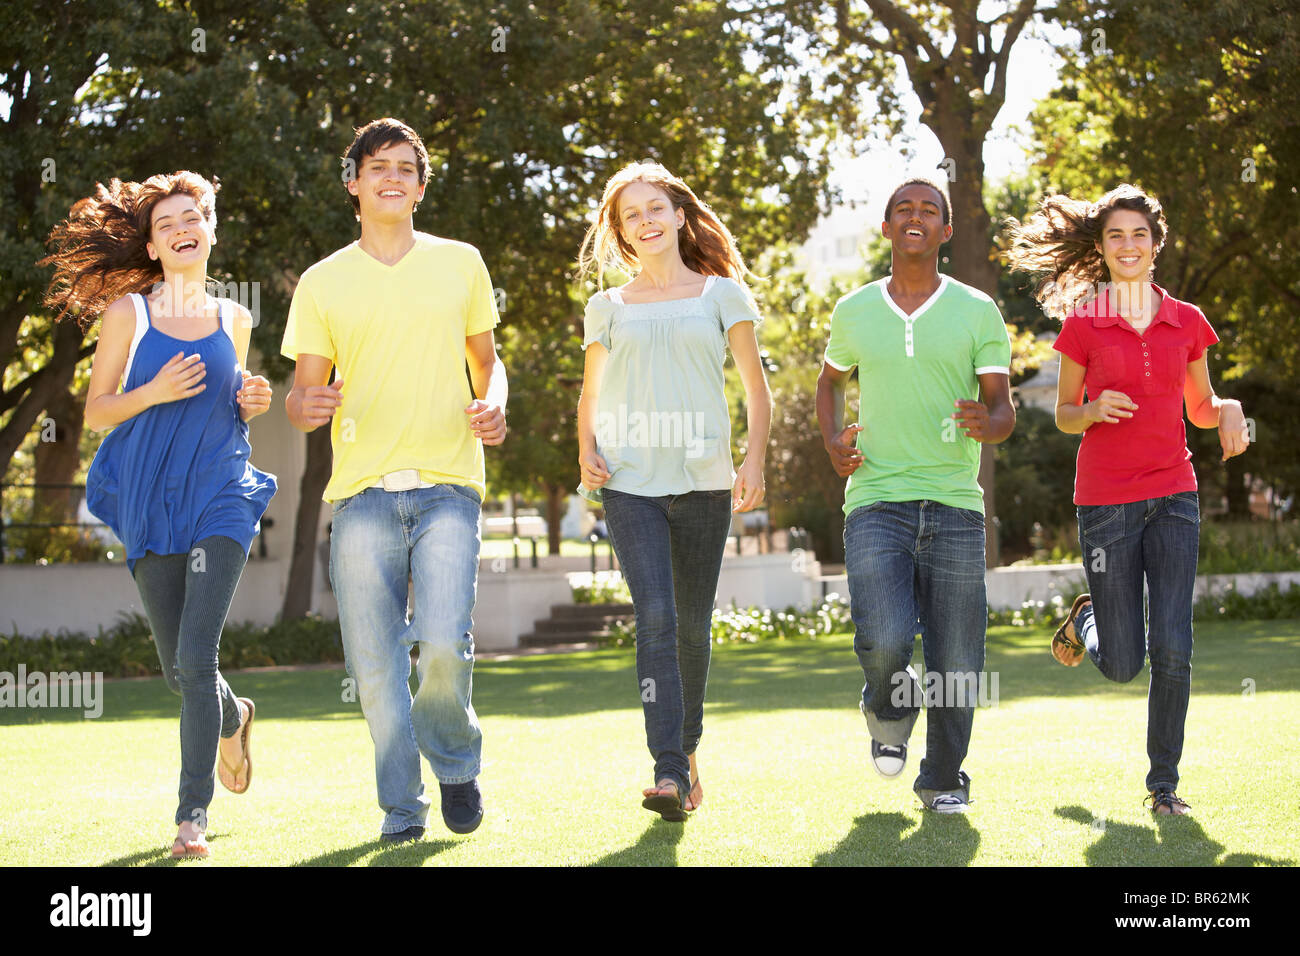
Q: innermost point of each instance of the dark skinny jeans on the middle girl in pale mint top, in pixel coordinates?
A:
(671, 553)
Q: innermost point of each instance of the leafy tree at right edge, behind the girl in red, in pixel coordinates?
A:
(1182, 100)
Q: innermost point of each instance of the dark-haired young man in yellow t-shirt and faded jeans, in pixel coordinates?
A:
(396, 313)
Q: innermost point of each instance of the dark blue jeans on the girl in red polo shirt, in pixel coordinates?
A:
(1123, 544)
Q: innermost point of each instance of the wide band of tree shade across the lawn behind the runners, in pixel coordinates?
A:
(777, 676)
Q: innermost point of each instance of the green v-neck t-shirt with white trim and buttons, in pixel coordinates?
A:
(912, 370)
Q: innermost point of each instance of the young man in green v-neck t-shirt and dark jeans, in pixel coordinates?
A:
(933, 360)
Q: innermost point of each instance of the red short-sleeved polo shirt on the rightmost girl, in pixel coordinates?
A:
(1143, 457)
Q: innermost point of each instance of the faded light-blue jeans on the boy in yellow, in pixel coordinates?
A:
(379, 542)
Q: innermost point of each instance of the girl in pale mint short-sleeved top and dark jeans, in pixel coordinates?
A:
(655, 442)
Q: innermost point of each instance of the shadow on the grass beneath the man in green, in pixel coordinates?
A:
(877, 840)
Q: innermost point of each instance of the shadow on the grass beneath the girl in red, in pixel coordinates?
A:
(1175, 842)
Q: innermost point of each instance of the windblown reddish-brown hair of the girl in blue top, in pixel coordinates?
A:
(99, 252)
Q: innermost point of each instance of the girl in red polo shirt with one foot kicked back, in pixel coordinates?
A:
(1139, 354)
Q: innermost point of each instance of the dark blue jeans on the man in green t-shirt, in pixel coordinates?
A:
(918, 566)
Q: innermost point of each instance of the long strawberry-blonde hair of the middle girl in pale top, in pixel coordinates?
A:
(705, 244)
